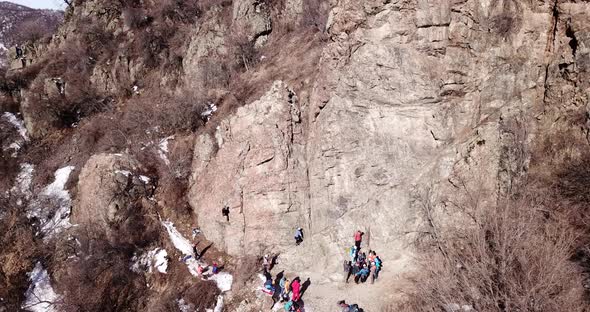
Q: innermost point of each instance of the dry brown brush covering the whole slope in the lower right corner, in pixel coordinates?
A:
(528, 253)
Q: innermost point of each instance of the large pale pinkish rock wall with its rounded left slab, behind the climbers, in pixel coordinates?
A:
(417, 104)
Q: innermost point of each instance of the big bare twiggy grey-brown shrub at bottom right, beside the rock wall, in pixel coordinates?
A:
(513, 257)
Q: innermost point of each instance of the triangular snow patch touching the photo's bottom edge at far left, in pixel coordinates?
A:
(40, 297)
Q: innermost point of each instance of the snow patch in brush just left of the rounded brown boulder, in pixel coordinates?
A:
(60, 220)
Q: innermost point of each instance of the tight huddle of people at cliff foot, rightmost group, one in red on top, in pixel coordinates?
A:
(361, 265)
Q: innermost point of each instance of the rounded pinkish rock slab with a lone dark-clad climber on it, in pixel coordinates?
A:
(253, 164)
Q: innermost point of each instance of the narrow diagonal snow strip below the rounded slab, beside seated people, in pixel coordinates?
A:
(223, 280)
